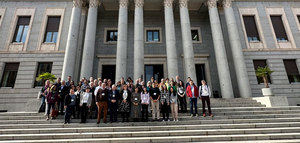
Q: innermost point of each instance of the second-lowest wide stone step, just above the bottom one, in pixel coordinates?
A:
(148, 133)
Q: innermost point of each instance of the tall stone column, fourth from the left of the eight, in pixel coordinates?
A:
(138, 39)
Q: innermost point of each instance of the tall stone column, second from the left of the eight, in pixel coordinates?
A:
(89, 40)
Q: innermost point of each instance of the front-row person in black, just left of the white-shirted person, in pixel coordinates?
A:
(70, 102)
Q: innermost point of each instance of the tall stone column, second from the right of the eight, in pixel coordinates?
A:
(220, 52)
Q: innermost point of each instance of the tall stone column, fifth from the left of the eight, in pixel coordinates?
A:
(172, 61)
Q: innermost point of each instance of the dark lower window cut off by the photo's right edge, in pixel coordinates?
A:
(291, 70)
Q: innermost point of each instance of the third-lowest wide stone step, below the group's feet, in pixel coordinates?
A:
(91, 128)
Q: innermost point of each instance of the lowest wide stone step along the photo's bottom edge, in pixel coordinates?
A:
(201, 138)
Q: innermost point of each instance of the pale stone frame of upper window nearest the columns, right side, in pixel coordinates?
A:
(249, 11)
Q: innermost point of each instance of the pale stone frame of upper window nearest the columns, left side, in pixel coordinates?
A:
(48, 46)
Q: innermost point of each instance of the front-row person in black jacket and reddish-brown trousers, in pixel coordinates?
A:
(101, 101)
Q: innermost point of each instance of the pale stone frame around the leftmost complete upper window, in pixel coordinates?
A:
(11, 46)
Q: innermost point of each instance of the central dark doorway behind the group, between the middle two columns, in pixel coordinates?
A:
(156, 71)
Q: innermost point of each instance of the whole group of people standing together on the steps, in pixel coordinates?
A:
(95, 98)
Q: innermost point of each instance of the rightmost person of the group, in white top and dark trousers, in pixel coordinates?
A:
(204, 94)
